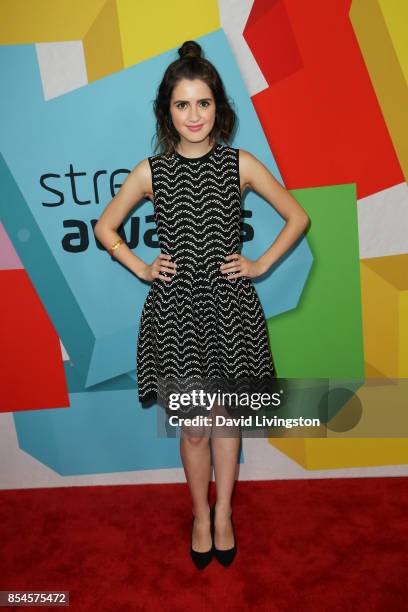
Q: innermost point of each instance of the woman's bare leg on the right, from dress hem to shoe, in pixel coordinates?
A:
(225, 445)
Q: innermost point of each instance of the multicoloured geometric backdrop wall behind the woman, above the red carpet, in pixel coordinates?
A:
(320, 91)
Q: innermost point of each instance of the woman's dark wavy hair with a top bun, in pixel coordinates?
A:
(191, 65)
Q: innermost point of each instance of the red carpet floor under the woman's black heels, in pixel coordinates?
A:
(318, 545)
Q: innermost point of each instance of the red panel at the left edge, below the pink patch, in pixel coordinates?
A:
(32, 372)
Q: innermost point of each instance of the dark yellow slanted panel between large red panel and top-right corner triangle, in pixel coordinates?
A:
(382, 60)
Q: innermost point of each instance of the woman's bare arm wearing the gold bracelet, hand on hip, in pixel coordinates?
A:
(137, 185)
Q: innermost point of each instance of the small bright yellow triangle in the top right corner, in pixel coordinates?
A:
(395, 13)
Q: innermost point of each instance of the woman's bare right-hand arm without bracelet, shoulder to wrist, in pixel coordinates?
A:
(255, 175)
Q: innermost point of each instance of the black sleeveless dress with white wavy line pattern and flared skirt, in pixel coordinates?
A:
(200, 326)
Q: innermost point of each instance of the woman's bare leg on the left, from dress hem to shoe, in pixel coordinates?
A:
(196, 458)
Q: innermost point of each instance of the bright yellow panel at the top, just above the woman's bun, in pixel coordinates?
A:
(151, 28)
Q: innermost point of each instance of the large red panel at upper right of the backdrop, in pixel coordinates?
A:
(322, 118)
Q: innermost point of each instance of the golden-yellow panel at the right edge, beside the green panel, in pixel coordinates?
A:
(384, 282)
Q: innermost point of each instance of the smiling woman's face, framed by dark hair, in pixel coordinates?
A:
(192, 106)
